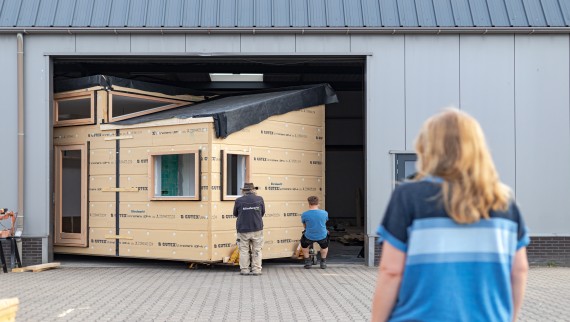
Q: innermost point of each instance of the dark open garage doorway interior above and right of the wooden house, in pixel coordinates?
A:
(217, 75)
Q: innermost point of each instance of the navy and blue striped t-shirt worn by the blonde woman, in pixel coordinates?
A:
(453, 272)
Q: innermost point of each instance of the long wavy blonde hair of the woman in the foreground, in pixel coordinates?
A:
(451, 145)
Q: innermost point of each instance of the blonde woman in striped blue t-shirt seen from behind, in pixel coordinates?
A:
(454, 241)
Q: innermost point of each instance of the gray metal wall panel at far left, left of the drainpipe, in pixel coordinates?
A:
(9, 117)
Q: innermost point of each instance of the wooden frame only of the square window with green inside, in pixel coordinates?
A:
(152, 175)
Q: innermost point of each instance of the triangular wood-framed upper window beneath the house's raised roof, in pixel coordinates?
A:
(126, 105)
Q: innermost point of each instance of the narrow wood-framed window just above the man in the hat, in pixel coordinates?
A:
(236, 171)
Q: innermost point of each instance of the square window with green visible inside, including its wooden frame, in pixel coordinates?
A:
(175, 176)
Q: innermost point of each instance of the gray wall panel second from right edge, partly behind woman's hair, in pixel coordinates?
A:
(487, 93)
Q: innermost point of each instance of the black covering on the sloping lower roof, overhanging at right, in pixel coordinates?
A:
(233, 113)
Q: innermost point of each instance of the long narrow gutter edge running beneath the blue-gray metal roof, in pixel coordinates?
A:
(290, 30)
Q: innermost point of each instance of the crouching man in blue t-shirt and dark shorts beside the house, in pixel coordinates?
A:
(314, 220)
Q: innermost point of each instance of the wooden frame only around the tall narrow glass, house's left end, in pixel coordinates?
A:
(62, 238)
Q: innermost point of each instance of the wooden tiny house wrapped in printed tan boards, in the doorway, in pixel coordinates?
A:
(158, 179)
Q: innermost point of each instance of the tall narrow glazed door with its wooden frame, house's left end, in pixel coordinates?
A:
(71, 195)
